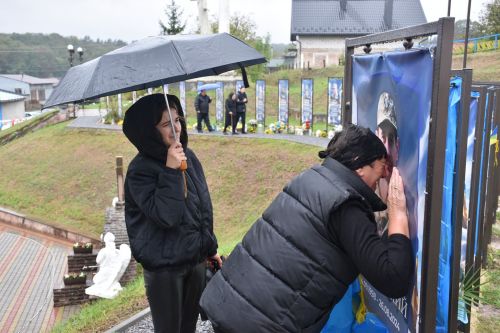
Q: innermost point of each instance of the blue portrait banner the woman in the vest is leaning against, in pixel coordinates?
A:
(392, 96)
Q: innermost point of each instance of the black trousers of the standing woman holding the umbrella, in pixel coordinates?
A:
(173, 297)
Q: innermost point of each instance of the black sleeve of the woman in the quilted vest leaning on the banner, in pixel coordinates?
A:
(387, 264)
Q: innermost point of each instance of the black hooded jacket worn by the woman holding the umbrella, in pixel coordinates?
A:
(165, 229)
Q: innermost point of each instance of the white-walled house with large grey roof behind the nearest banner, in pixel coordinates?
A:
(320, 27)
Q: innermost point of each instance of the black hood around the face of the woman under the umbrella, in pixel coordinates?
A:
(139, 125)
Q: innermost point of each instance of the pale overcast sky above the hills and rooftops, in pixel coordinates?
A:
(134, 19)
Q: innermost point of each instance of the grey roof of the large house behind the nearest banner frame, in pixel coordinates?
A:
(353, 17)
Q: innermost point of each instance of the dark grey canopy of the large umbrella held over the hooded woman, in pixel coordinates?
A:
(152, 62)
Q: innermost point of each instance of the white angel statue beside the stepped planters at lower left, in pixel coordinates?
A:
(112, 264)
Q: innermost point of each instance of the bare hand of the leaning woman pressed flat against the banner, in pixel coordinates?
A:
(396, 205)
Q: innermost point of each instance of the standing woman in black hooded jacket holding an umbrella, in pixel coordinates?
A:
(168, 212)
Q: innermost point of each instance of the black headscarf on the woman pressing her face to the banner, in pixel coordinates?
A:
(355, 146)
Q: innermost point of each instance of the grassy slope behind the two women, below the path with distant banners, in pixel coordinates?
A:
(67, 177)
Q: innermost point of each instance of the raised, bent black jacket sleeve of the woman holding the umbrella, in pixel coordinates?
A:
(160, 197)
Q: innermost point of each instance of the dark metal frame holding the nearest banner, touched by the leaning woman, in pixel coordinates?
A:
(444, 29)
